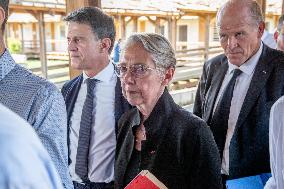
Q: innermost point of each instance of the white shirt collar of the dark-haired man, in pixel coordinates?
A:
(106, 75)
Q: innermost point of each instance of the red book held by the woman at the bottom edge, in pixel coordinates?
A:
(145, 179)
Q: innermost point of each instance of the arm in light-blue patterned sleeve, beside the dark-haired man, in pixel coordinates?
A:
(50, 123)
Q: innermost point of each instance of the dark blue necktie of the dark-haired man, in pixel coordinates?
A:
(81, 167)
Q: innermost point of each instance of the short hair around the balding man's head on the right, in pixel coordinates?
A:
(254, 10)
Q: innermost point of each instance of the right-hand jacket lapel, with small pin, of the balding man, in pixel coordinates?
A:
(262, 72)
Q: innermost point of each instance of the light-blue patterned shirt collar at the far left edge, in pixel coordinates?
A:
(7, 63)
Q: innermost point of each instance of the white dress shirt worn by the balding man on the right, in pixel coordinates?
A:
(241, 87)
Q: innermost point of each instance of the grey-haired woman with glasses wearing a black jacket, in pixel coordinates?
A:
(158, 135)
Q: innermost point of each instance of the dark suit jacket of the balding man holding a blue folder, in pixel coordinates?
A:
(249, 147)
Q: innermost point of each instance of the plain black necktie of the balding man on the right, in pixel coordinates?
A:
(219, 121)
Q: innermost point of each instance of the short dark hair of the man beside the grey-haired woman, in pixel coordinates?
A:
(101, 23)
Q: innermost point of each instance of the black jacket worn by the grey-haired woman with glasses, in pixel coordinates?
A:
(180, 150)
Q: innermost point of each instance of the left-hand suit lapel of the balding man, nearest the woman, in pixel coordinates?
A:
(213, 91)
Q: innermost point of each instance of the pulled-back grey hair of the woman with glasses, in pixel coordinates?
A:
(157, 45)
